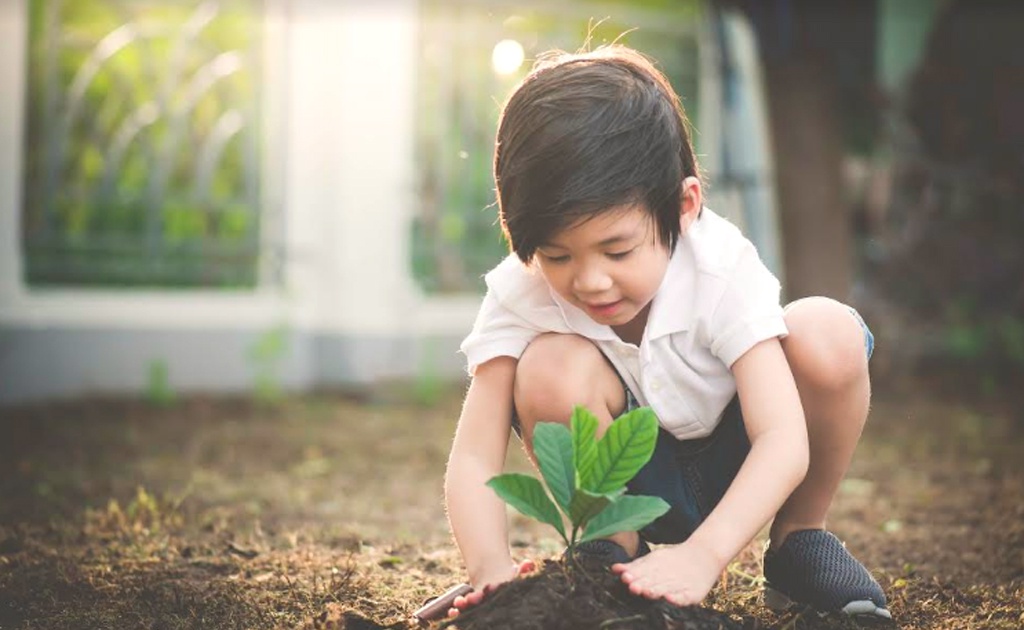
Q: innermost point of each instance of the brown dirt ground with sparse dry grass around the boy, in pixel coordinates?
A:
(326, 513)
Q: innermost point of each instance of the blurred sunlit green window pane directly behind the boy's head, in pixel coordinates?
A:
(473, 55)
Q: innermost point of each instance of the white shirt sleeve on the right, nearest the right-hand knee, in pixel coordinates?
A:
(749, 311)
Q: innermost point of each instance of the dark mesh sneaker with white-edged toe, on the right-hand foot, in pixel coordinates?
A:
(814, 568)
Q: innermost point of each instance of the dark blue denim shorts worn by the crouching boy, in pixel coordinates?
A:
(694, 475)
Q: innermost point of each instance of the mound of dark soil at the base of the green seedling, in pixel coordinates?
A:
(570, 595)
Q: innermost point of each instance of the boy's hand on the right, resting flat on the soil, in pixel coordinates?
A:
(682, 575)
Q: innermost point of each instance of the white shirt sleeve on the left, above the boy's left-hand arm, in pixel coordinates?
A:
(497, 332)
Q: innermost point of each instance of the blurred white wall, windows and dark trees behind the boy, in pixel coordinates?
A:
(282, 196)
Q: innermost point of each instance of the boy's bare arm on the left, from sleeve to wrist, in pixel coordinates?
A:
(477, 515)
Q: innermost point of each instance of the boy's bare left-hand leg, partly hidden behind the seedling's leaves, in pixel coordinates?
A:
(558, 372)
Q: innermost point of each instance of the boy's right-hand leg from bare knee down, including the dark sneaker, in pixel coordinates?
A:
(828, 350)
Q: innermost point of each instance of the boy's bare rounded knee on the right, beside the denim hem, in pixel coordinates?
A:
(826, 346)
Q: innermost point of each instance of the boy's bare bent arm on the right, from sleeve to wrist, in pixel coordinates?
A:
(778, 461)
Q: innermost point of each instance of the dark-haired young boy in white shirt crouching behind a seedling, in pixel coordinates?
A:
(624, 290)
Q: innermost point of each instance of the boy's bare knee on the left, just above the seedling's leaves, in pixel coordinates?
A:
(556, 373)
